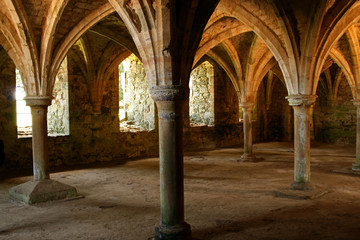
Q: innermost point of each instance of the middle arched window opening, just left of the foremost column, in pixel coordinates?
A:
(136, 107)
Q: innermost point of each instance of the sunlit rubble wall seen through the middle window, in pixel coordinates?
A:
(139, 106)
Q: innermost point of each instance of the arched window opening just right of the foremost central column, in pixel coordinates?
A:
(201, 110)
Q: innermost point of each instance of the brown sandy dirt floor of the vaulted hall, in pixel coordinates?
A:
(224, 199)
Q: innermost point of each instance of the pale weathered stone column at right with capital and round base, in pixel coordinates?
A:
(301, 105)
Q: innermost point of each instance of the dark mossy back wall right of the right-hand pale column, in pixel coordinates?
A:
(335, 120)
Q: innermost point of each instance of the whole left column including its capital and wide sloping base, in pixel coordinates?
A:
(41, 189)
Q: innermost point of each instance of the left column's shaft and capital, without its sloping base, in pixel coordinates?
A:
(40, 143)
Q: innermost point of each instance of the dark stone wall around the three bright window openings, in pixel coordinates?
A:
(96, 137)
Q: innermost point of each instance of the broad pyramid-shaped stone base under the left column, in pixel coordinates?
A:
(41, 191)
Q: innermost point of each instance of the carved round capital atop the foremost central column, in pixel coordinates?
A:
(169, 93)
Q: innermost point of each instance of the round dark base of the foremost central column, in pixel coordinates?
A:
(178, 232)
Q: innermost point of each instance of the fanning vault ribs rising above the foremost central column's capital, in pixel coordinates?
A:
(161, 42)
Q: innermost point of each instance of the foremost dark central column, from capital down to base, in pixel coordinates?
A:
(170, 102)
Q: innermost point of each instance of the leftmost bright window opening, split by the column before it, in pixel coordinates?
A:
(58, 111)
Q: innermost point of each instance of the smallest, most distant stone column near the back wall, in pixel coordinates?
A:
(248, 155)
